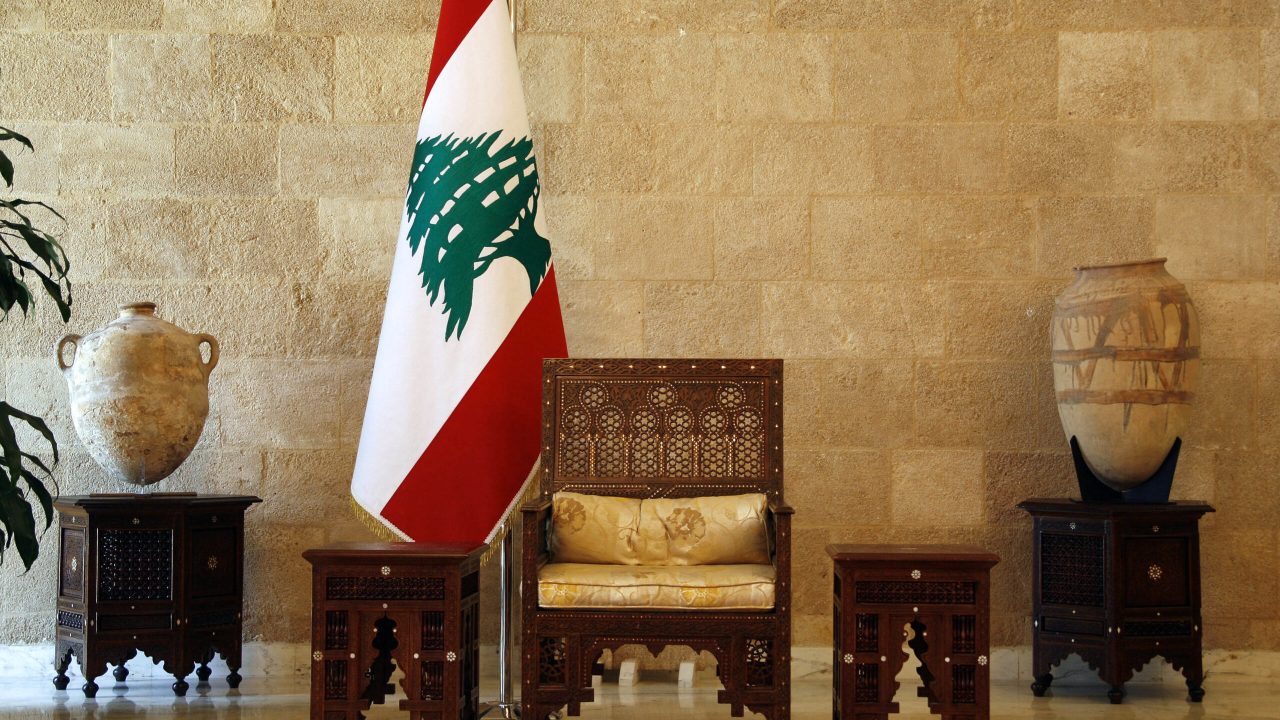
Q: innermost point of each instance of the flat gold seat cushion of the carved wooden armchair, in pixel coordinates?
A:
(688, 587)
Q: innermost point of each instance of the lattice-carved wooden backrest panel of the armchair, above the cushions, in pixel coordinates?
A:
(664, 421)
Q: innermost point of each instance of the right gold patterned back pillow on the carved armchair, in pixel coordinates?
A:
(725, 530)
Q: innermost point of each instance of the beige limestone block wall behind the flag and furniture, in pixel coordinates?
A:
(886, 194)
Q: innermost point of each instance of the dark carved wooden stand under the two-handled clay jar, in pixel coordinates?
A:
(158, 573)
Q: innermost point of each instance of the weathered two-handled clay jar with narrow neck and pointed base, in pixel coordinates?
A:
(140, 393)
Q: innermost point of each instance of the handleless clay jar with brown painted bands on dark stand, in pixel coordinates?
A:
(1126, 367)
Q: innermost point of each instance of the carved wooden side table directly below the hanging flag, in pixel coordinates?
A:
(381, 607)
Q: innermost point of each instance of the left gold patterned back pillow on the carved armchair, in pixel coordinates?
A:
(595, 528)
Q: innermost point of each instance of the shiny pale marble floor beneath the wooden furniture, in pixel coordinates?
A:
(286, 699)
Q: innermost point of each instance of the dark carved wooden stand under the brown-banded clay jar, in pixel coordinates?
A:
(1117, 585)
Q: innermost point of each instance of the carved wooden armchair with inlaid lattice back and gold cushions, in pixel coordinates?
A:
(651, 430)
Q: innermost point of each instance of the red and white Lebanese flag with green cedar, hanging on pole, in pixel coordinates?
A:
(451, 430)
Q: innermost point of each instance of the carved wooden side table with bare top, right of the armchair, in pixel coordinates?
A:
(934, 596)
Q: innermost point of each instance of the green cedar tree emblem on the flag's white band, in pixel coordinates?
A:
(473, 200)
